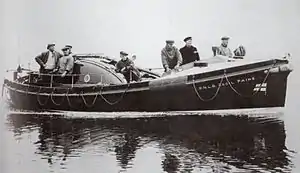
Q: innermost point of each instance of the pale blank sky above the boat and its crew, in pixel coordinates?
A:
(267, 28)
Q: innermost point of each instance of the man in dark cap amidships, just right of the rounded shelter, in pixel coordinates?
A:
(127, 68)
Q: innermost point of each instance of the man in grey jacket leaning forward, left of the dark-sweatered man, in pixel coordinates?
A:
(170, 56)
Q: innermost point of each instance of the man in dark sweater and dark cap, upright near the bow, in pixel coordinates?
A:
(189, 52)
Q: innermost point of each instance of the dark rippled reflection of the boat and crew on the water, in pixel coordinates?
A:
(205, 143)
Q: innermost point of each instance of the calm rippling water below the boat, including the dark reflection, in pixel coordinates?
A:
(201, 143)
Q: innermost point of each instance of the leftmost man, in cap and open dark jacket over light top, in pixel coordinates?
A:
(48, 60)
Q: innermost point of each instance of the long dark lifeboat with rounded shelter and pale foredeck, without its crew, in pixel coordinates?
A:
(210, 84)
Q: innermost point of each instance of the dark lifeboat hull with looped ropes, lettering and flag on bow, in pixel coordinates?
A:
(257, 87)
